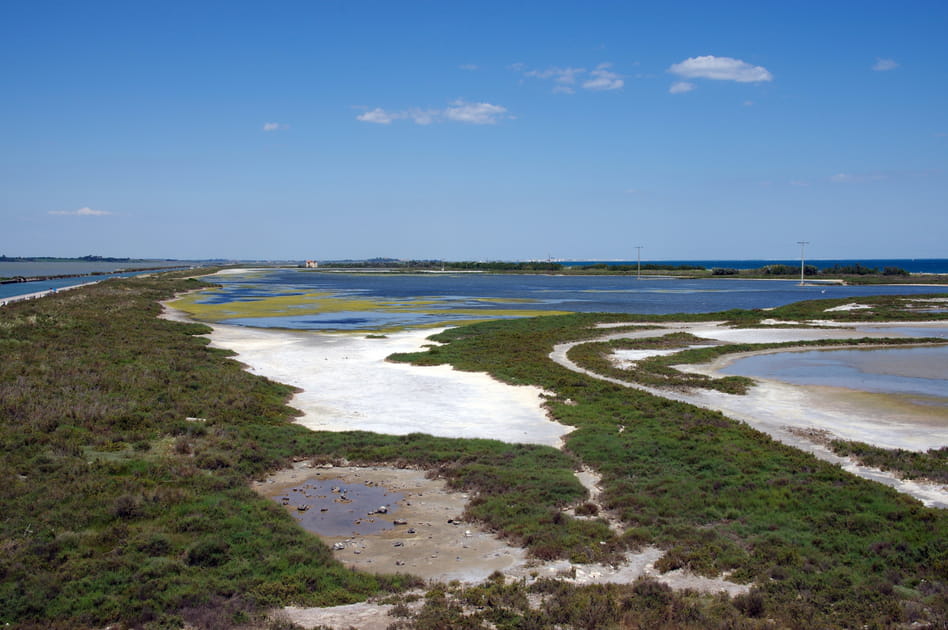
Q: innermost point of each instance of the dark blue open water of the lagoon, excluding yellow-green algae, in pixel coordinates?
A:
(474, 291)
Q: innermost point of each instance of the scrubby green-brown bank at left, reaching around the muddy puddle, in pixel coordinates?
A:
(129, 446)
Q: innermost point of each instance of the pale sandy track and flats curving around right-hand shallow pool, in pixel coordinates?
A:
(791, 413)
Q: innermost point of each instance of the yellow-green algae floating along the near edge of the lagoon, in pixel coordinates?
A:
(313, 303)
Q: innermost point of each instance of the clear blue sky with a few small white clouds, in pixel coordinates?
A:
(463, 130)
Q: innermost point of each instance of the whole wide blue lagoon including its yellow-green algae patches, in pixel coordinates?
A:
(334, 301)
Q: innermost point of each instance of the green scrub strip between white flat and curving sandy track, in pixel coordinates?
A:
(827, 549)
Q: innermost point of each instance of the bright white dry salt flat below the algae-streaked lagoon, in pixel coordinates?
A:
(347, 384)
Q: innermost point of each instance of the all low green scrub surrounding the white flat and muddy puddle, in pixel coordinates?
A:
(118, 509)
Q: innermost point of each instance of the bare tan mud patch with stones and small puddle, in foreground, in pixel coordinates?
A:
(421, 531)
